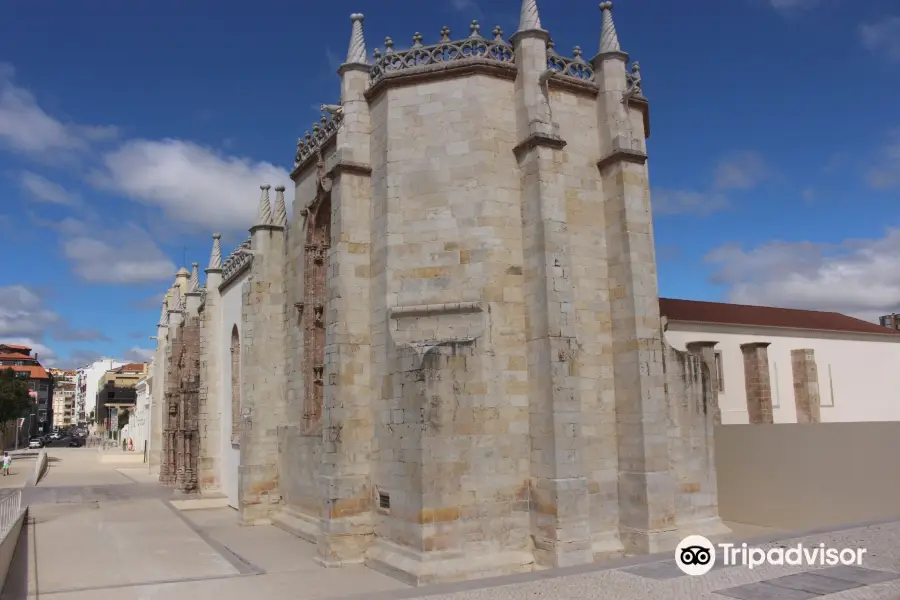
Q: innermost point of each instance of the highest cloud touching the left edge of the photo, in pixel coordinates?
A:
(26, 128)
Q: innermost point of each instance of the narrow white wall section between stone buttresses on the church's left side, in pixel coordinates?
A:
(231, 454)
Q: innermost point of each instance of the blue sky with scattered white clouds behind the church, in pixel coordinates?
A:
(130, 131)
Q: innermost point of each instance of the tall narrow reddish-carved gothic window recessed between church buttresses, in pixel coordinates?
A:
(318, 241)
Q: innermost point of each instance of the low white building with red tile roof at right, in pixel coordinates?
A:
(853, 360)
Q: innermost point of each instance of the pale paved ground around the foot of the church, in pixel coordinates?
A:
(127, 541)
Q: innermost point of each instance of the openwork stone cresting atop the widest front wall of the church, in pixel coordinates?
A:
(419, 57)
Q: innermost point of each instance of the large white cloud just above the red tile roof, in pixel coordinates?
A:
(855, 277)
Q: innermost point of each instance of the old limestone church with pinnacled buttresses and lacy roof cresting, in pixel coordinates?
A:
(451, 356)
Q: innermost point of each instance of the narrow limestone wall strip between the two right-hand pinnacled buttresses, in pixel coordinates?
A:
(575, 113)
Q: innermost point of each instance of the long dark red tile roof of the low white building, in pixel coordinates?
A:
(695, 311)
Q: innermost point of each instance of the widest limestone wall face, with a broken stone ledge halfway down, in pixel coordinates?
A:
(452, 417)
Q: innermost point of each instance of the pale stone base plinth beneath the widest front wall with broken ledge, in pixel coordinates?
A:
(418, 568)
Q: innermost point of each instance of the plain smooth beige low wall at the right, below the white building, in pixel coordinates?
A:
(802, 476)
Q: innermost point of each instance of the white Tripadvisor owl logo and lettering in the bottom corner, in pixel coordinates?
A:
(696, 555)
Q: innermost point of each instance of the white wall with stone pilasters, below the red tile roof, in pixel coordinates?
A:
(856, 372)
